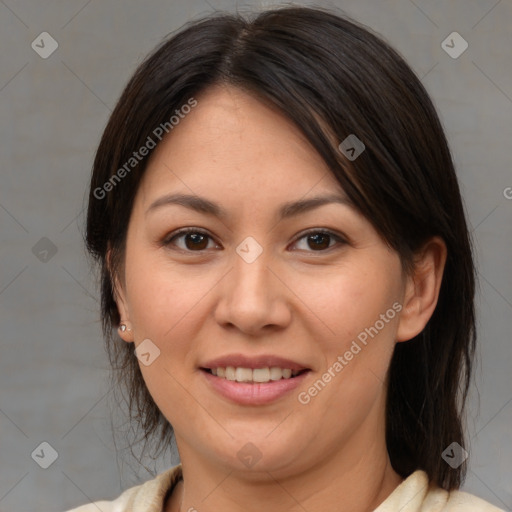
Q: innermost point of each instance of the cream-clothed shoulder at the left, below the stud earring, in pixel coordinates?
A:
(146, 497)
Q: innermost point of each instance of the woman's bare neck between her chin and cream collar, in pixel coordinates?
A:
(357, 479)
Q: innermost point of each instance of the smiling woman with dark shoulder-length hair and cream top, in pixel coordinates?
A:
(282, 241)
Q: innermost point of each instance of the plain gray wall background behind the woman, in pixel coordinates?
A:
(53, 368)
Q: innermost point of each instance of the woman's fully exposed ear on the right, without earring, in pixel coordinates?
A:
(422, 289)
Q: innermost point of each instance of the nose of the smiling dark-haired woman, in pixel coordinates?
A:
(253, 297)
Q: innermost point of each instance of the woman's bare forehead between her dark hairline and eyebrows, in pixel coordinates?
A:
(234, 147)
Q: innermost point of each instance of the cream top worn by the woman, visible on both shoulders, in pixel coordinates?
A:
(413, 495)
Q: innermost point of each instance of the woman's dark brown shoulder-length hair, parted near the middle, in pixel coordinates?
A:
(332, 77)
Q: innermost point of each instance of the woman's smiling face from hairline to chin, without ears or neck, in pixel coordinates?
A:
(249, 288)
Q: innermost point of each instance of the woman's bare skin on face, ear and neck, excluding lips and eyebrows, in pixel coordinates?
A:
(294, 301)
